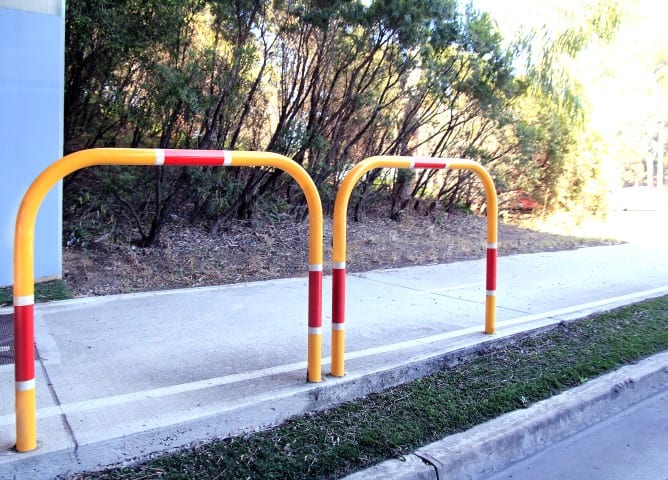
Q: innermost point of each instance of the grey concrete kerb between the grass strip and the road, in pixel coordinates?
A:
(495, 445)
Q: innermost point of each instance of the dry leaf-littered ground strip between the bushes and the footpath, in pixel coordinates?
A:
(188, 256)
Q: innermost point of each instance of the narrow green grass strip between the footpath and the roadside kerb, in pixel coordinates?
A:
(395, 422)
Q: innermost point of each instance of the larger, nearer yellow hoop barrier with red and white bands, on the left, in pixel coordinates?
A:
(24, 282)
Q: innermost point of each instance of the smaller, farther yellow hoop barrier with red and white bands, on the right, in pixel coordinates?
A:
(339, 240)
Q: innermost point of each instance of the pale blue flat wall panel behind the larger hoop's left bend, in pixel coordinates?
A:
(32, 61)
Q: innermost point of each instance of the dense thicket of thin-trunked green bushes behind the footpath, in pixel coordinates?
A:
(325, 83)
